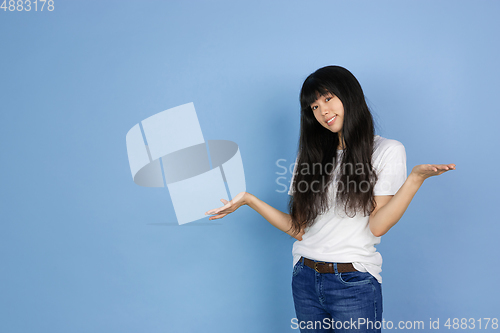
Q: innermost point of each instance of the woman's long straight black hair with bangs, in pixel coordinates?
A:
(318, 148)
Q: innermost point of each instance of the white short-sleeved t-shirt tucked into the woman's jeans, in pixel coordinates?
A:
(335, 237)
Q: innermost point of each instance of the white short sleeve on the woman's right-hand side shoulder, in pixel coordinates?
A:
(391, 171)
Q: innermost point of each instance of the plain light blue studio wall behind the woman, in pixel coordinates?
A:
(84, 249)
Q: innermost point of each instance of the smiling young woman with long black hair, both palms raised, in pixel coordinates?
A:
(349, 187)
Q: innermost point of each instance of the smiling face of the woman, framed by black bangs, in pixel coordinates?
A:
(329, 112)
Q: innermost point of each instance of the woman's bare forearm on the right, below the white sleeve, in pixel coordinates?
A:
(387, 216)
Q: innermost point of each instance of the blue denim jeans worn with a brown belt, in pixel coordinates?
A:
(340, 302)
